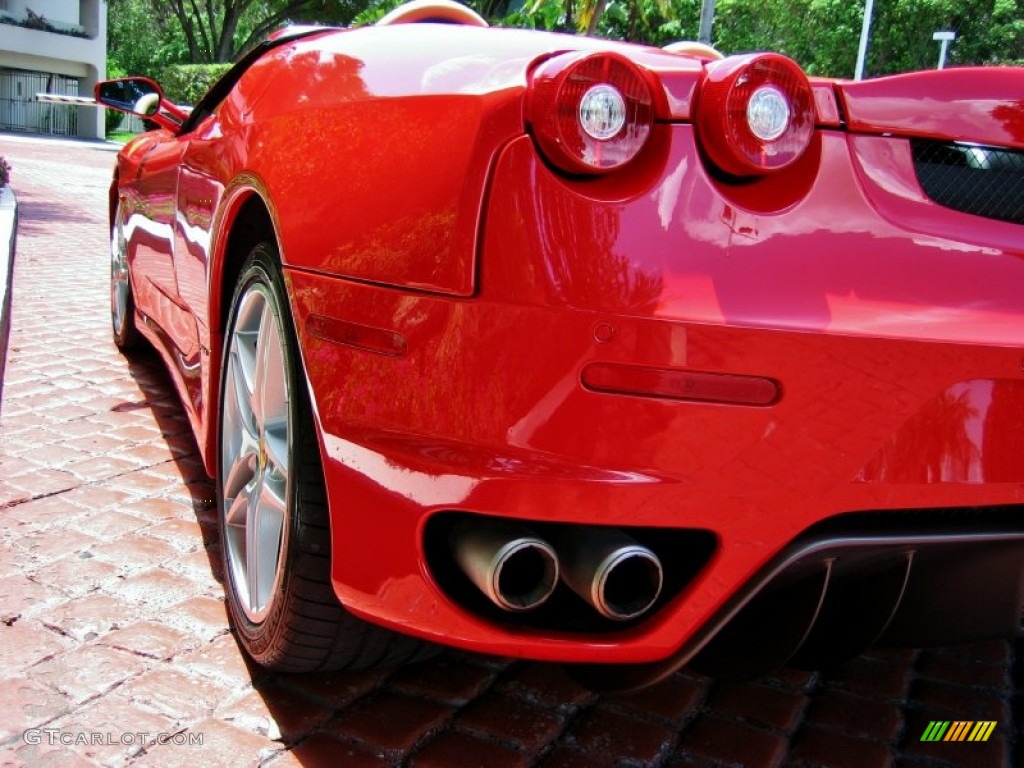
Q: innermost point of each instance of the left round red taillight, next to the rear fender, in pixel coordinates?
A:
(590, 113)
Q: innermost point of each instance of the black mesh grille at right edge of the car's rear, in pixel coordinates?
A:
(984, 181)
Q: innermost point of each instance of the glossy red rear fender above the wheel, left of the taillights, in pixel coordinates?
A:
(378, 174)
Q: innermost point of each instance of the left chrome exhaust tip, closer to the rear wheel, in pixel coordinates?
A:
(515, 569)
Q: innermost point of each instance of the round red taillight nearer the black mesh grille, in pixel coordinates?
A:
(755, 113)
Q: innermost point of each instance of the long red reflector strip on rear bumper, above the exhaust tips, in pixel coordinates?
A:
(680, 386)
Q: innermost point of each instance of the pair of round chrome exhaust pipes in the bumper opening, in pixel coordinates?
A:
(519, 571)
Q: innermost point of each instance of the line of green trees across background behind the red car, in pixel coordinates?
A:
(822, 35)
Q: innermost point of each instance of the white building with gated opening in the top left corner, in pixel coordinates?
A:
(54, 47)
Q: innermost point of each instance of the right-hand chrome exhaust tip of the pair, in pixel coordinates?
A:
(619, 577)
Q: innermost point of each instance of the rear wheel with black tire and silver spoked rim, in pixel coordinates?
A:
(303, 626)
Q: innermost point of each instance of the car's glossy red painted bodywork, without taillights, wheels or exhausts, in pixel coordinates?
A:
(449, 290)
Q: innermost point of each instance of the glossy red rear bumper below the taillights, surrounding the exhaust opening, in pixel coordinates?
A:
(895, 350)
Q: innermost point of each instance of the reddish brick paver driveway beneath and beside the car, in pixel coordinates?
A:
(114, 630)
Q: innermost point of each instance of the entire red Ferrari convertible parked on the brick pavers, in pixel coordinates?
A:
(578, 351)
